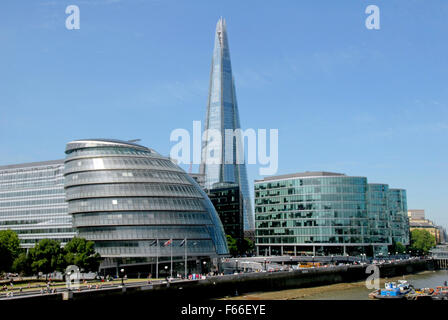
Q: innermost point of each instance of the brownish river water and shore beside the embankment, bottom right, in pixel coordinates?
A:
(347, 291)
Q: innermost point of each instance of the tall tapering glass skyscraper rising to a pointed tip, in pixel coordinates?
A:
(222, 114)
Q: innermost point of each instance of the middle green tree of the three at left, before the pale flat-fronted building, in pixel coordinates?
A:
(47, 256)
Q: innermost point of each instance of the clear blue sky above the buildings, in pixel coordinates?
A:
(347, 99)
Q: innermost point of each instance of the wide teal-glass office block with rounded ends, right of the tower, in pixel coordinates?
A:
(324, 213)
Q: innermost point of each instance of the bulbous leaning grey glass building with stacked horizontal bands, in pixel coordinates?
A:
(138, 206)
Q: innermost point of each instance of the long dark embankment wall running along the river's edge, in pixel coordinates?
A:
(234, 284)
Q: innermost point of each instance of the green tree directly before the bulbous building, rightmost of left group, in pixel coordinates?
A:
(81, 253)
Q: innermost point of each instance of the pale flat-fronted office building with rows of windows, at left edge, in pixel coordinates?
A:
(32, 202)
